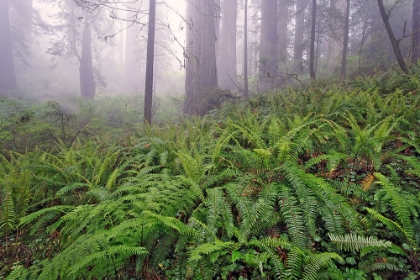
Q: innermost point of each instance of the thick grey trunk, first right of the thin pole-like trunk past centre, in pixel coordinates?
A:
(268, 64)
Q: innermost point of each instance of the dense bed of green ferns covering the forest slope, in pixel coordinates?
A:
(320, 183)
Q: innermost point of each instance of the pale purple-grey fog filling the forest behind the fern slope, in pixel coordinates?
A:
(89, 48)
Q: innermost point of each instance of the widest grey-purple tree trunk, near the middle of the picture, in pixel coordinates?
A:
(200, 53)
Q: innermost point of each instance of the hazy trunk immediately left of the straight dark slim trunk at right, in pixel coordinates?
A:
(299, 32)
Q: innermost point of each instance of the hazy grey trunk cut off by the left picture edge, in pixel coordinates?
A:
(7, 68)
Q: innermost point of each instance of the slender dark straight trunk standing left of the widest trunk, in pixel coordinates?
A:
(148, 91)
